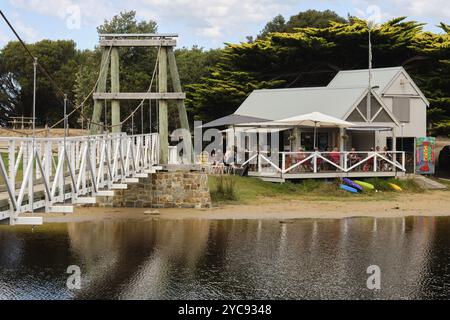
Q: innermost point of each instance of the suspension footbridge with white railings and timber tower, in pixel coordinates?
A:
(53, 174)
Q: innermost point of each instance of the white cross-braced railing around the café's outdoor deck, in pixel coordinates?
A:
(282, 163)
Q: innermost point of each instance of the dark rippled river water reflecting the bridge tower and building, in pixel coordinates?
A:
(228, 259)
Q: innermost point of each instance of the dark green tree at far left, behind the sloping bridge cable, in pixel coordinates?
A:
(16, 74)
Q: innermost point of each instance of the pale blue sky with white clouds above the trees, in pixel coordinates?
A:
(207, 23)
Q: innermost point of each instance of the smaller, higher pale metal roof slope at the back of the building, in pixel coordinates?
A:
(350, 78)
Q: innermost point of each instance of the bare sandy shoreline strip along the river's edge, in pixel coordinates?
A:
(423, 204)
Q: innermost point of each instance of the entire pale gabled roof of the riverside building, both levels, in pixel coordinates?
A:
(337, 99)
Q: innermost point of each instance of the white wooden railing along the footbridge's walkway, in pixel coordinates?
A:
(75, 168)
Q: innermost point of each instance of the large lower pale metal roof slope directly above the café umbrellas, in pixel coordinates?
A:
(276, 104)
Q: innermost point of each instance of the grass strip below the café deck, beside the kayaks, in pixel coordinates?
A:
(248, 190)
